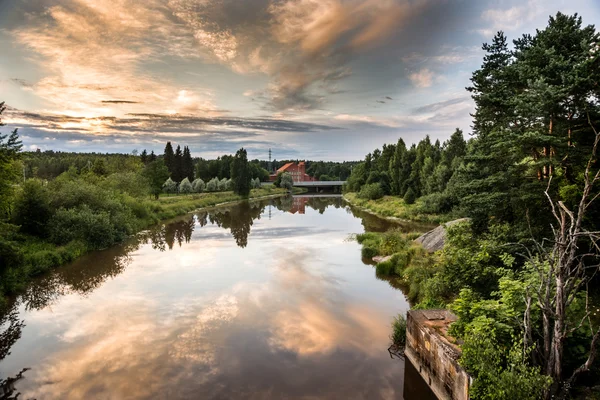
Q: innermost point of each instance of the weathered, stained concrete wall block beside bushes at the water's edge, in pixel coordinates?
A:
(433, 353)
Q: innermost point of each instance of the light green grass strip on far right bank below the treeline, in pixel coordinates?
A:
(395, 207)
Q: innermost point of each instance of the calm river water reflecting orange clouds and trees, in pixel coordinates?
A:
(261, 300)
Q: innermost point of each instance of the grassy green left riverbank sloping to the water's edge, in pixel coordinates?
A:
(39, 256)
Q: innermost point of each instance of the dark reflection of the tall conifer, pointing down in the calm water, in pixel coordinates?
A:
(238, 219)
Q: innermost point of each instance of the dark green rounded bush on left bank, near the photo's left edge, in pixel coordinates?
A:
(32, 208)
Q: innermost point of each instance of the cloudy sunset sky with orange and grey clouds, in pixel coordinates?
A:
(309, 79)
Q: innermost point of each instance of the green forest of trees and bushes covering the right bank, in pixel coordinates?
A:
(521, 273)
